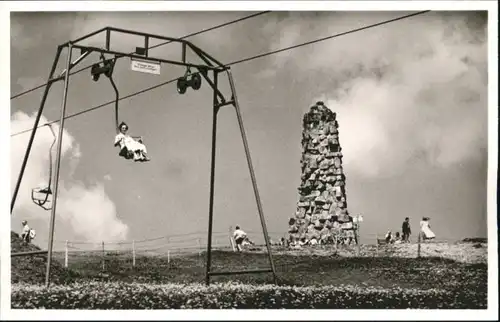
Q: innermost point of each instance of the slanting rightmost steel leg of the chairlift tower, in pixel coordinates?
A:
(252, 174)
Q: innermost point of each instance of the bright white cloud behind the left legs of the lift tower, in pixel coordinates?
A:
(88, 211)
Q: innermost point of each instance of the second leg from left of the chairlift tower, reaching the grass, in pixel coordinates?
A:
(58, 165)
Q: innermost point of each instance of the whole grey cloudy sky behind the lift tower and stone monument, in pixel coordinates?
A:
(411, 100)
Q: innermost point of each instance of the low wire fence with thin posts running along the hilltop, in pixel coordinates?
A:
(134, 252)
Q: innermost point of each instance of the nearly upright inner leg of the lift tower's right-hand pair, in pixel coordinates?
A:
(212, 180)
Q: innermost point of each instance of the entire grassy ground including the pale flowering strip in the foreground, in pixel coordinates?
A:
(447, 275)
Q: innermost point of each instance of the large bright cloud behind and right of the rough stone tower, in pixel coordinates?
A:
(412, 92)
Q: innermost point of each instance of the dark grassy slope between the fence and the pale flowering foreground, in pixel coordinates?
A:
(392, 267)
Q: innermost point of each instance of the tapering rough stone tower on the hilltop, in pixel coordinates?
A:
(322, 206)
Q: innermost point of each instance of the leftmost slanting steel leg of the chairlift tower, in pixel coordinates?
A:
(35, 126)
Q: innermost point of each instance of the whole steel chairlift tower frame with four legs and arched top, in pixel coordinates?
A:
(210, 70)
